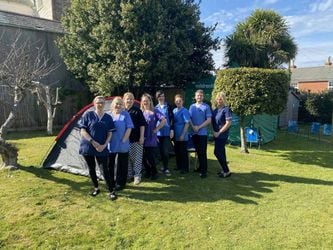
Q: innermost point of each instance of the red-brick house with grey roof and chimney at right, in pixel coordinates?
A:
(313, 79)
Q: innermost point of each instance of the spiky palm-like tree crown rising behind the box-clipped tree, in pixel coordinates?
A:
(262, 41)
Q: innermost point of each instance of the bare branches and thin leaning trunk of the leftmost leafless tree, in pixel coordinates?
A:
(24, 64)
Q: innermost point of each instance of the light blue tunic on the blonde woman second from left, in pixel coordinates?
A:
(122, 123)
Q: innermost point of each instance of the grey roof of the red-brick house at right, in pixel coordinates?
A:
(321, 73)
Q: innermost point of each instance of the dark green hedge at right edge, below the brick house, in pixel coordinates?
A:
(317, 107)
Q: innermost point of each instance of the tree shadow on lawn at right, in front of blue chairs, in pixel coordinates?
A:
(302, 150)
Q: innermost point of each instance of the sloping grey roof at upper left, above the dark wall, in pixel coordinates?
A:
(29, 22)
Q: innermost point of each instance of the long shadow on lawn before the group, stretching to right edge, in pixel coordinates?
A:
(244, 188)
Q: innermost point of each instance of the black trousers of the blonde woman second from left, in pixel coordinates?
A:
(122, 167)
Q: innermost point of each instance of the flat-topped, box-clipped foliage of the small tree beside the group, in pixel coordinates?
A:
(253, 91)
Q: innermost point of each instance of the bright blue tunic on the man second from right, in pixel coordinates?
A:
(198, 115)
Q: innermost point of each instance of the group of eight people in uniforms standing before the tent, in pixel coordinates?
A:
(123, 140)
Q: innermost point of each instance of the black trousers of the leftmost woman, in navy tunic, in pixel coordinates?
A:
(102, 162)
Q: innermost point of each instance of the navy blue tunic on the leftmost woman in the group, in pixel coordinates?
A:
(98, 129)
